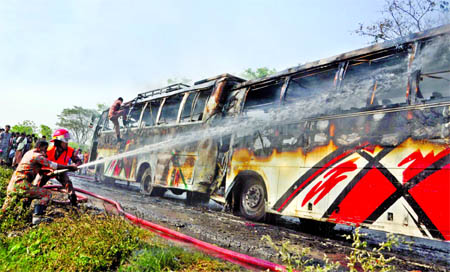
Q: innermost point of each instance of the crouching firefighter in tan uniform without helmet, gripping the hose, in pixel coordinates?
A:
(20, 185)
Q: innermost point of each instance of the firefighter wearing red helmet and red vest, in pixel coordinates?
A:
(61, 153)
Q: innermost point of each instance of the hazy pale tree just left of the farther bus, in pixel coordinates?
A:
(77, 120)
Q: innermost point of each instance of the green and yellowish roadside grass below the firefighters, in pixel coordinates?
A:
(84, 240)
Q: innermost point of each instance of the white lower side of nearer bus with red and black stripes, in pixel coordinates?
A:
(388, 181)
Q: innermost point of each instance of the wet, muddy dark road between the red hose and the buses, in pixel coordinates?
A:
(209, 223)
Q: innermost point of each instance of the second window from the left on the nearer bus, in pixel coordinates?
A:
(306, 88)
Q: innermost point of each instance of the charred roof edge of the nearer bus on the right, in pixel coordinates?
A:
(444, 29)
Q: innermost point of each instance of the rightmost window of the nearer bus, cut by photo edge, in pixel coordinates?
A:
(435, 69)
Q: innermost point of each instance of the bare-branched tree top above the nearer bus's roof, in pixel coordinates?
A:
(403, 17)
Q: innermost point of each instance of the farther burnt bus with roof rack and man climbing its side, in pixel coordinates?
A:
(157, 116)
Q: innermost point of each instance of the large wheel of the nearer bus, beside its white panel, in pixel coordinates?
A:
(252, 200)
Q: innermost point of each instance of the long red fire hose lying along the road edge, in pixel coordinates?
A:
(225, 254)
